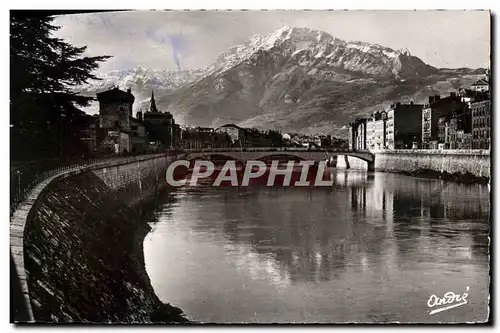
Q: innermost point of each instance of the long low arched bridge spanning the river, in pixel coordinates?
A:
(254, 153)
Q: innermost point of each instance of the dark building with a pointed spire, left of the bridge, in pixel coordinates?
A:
(161, 127)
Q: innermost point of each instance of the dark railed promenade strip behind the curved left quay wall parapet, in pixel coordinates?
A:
(24, 177)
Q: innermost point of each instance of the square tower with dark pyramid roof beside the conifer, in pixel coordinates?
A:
(115, 112)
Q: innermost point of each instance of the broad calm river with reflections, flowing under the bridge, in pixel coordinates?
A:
(373, 247)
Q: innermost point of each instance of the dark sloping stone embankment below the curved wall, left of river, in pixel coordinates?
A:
(84, 257)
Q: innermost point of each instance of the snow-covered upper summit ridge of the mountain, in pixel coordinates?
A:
(306, 47)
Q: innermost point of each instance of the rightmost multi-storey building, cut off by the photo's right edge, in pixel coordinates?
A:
(481, 124)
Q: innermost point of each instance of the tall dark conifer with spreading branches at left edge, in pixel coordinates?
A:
(43, 110)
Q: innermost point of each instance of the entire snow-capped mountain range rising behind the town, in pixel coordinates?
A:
(293, 79)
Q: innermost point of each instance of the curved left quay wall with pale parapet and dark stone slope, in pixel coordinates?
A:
(76, 245)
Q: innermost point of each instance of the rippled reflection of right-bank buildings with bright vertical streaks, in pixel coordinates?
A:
(404, 210)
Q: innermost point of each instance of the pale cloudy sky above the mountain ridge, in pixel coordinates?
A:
(174, 40)
